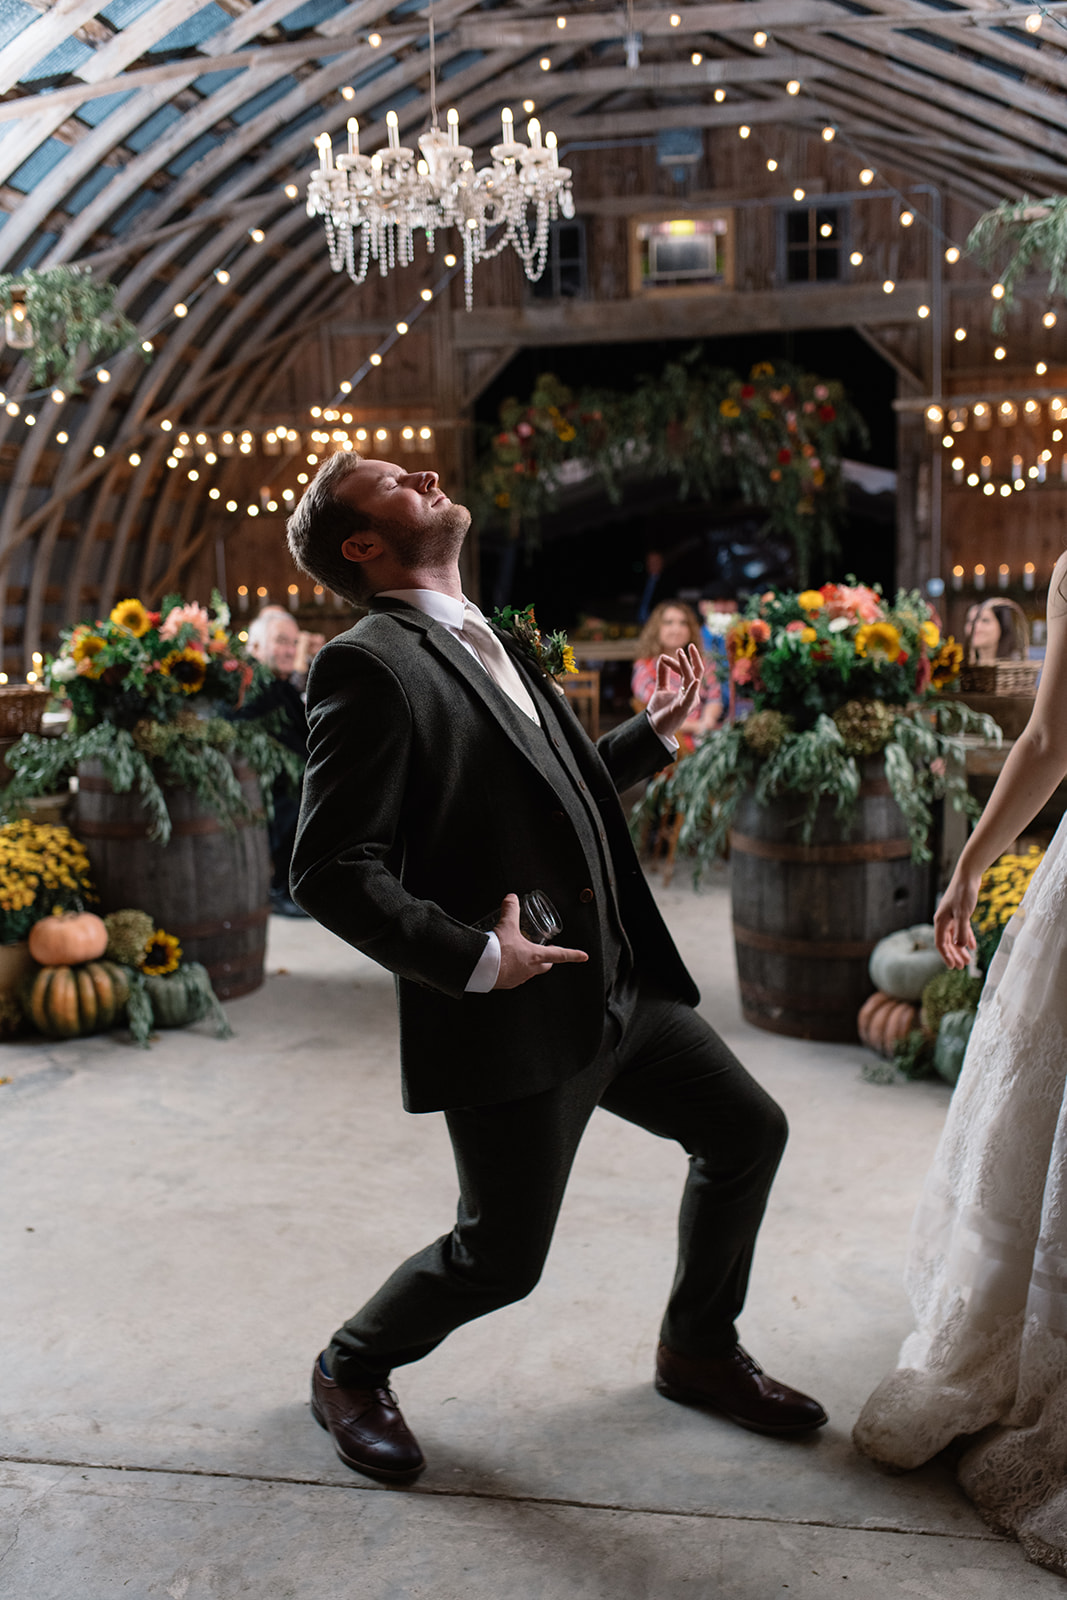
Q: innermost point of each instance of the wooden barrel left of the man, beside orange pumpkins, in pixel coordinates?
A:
(210, 887)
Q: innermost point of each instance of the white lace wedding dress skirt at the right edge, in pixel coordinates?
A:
(988, 1265)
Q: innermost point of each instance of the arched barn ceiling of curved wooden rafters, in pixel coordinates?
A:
(153, 150)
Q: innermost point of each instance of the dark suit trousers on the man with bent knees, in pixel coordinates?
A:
(661, 1068)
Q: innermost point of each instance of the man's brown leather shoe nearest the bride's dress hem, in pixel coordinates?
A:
(737, 1386)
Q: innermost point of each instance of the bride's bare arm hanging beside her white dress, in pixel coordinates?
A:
(1036, 766)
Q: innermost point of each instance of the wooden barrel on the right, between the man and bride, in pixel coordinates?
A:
(807, 918)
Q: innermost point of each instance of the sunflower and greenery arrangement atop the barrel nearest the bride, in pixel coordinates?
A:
(837, 676)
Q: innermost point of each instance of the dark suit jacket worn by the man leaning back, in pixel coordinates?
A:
(428, 798)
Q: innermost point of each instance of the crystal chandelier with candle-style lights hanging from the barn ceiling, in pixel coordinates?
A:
(375, 206)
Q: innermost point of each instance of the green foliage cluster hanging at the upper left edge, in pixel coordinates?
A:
(73, 319)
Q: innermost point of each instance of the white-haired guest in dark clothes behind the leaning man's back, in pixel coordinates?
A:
(274, 639)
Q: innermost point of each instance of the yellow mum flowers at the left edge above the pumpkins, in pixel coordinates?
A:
(42, 870)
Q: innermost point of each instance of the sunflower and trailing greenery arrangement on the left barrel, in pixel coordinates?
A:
(148, 690)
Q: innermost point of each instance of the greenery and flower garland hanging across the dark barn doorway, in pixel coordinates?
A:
(775, 438)
